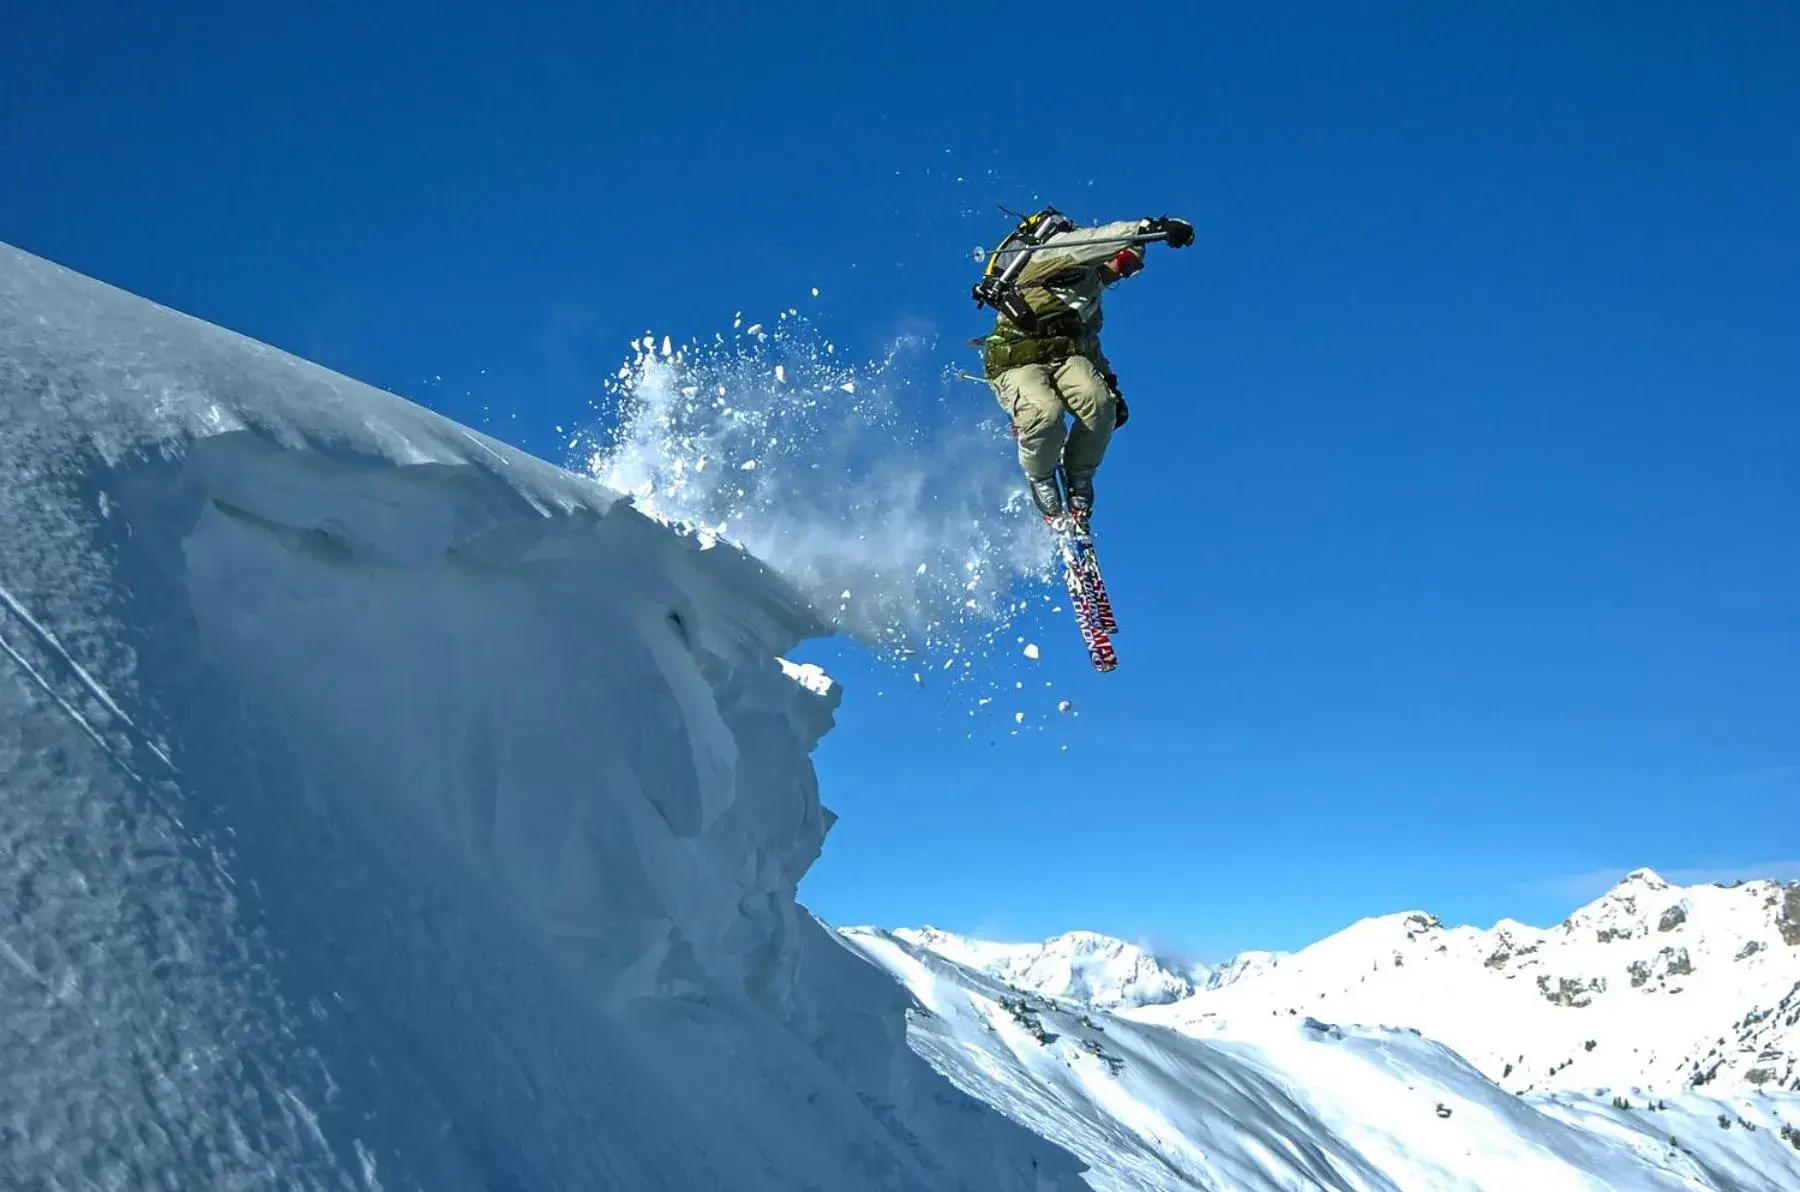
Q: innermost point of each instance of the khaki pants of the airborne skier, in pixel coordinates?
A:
(1038, 395)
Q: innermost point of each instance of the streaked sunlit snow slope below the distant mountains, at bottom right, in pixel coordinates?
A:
(1293, 1103)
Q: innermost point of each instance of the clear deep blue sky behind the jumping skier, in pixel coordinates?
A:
(1453, 537)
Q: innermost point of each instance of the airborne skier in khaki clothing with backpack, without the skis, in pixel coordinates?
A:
(1043, 357)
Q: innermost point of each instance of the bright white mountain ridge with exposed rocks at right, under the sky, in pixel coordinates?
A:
(1648, 988)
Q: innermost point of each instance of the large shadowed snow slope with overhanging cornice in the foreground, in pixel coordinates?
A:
(386, 809)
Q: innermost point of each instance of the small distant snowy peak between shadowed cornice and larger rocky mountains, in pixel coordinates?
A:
(1077, 966)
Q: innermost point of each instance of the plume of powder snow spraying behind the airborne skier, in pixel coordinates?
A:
(883, 491)
